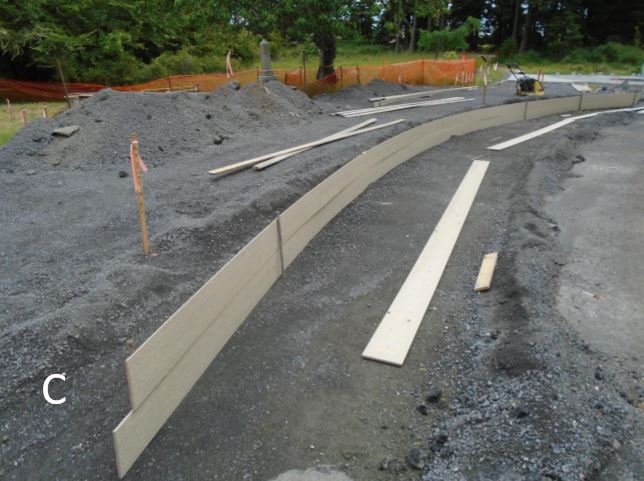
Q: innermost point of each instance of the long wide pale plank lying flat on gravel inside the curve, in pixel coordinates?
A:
(393, 338)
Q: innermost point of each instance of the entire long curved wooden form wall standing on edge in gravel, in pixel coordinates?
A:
(163, 370)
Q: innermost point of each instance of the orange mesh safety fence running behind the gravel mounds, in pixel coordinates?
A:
(419, 72)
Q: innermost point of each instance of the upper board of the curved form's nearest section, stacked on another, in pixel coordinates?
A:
(152, 361)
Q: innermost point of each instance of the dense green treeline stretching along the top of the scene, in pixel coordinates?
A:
(123, 41)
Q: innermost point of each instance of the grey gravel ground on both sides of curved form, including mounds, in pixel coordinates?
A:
(519, 393)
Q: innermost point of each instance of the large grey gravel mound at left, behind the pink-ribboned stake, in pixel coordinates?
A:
(168, 125)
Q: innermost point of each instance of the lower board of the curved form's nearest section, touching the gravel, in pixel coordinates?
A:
(140, 426)
